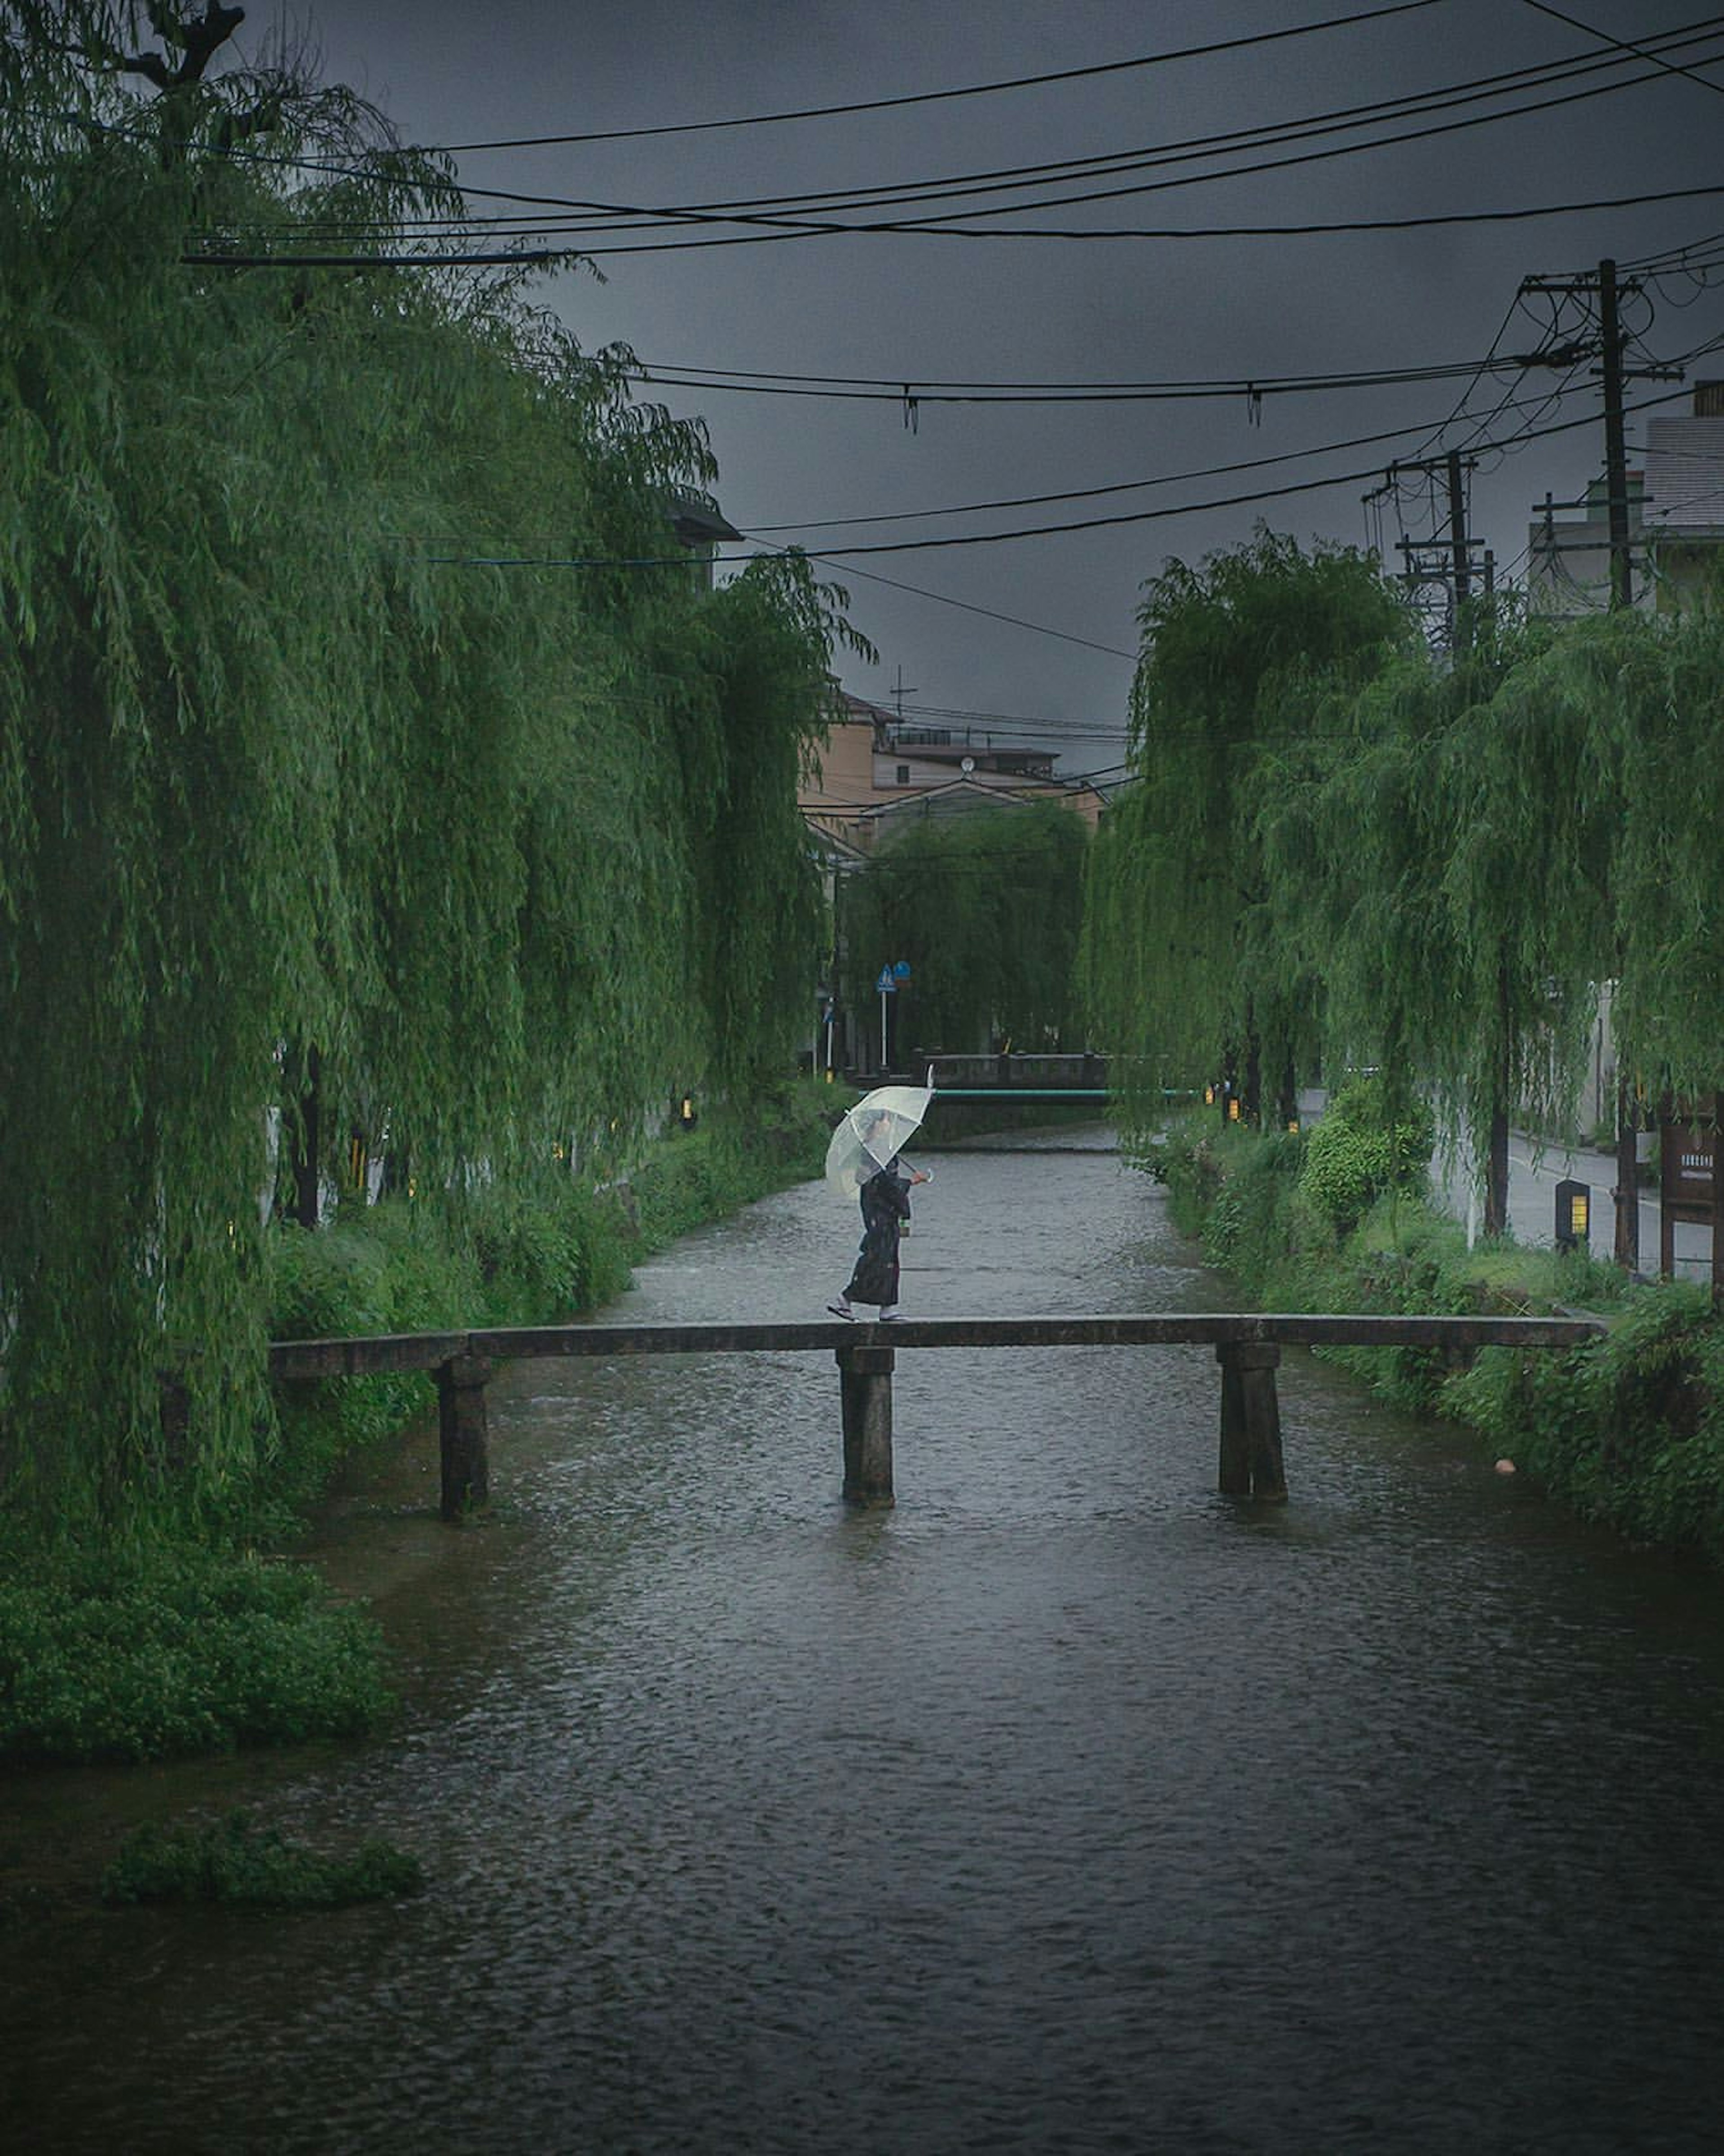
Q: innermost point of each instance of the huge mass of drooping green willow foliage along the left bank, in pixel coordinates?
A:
(359, 715)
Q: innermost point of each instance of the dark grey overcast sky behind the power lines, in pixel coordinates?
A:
(919, 309)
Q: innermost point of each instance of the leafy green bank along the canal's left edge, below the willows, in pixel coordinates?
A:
(191, 1633)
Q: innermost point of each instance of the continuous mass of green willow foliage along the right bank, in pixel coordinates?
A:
(1361, 855)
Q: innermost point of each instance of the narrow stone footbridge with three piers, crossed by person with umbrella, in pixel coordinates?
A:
(1249, 1346)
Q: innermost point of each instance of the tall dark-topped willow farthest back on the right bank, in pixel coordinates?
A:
(1240, 661)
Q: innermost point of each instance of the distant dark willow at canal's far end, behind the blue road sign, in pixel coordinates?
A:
(986, 907)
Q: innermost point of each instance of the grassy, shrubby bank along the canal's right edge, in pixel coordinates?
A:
(1626, 1431)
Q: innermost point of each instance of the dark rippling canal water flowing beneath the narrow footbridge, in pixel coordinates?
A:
(1063, 1808)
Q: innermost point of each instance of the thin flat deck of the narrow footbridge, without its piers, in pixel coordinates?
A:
(1150, 1329)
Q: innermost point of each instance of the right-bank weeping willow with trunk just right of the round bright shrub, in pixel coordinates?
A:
(1406, 872)
